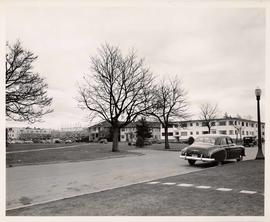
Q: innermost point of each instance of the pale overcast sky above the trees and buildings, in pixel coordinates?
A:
(219, 53)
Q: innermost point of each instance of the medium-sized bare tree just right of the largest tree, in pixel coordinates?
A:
(170, 103)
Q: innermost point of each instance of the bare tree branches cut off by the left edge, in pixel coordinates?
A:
(26, 92)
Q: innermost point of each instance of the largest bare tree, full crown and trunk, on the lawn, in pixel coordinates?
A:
(118, 90)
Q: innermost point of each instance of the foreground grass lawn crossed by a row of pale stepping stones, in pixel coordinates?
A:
(162, 200)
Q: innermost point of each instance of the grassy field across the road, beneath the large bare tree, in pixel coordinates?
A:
(26, 154)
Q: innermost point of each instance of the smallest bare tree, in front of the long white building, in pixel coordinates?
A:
(208, 113)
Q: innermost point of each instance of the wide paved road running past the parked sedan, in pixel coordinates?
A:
(28, 185)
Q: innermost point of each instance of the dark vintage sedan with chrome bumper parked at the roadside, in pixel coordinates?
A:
(212, 148)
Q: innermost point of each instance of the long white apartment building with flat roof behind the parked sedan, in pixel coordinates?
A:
(236, 128)
